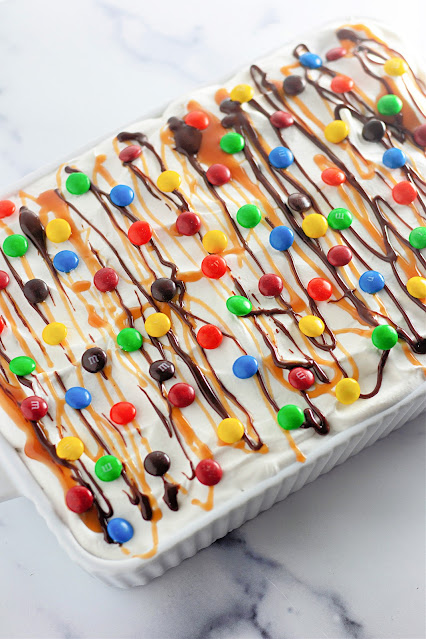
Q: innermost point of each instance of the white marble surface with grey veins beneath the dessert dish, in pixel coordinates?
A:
(344, 557)
